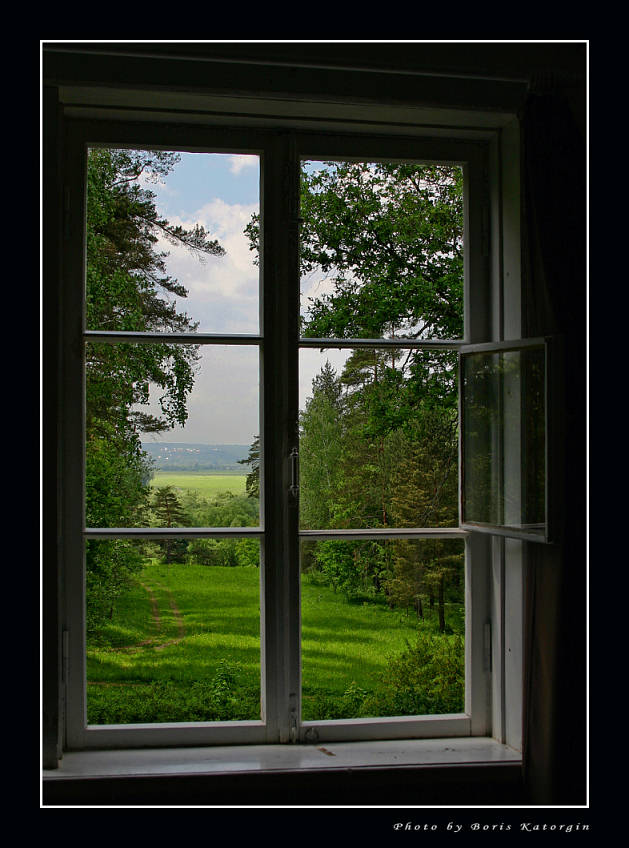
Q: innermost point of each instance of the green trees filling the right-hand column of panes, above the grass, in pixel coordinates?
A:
(379, 442)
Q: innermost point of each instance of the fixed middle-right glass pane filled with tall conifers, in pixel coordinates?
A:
(378, 439)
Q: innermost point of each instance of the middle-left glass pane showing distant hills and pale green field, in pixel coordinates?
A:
(169, 433)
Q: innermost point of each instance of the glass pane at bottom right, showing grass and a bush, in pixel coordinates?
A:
(383, 626)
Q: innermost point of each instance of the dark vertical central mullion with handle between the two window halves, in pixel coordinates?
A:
(280, 321)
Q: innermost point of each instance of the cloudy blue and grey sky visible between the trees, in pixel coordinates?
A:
(221, 192)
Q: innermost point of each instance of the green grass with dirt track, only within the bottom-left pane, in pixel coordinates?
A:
(205, 633)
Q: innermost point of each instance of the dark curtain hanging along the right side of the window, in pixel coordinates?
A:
(554, 268)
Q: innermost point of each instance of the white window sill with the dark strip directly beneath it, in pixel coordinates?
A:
(418, 772)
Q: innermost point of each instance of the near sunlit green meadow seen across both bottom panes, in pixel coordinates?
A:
(184, 645)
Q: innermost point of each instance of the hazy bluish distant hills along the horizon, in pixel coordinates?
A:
(179, 456)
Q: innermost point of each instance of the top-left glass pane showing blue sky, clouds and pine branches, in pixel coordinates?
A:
(166, 243)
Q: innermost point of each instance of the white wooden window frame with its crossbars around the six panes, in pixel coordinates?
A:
(280, 152)
